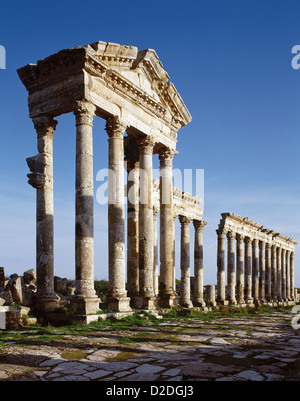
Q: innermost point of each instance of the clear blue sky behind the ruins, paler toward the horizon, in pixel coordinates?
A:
(231, 63)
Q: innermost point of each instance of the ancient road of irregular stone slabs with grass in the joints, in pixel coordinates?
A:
(240, 348)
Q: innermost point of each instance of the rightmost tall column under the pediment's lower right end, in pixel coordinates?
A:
(167, 267)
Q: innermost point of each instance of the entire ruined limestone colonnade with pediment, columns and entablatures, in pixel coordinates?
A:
(132, 92)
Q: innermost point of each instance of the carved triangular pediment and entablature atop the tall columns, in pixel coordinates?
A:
(118, 80)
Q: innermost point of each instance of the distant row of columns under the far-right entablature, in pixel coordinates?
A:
(257, 271)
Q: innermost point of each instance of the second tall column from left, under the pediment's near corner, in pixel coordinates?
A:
(85, 298)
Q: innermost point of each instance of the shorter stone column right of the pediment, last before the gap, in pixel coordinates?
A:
(198, 299)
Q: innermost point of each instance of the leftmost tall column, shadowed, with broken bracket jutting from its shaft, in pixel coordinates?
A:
(41, 178)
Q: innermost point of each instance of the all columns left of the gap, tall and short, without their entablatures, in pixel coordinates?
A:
(141, 232)
